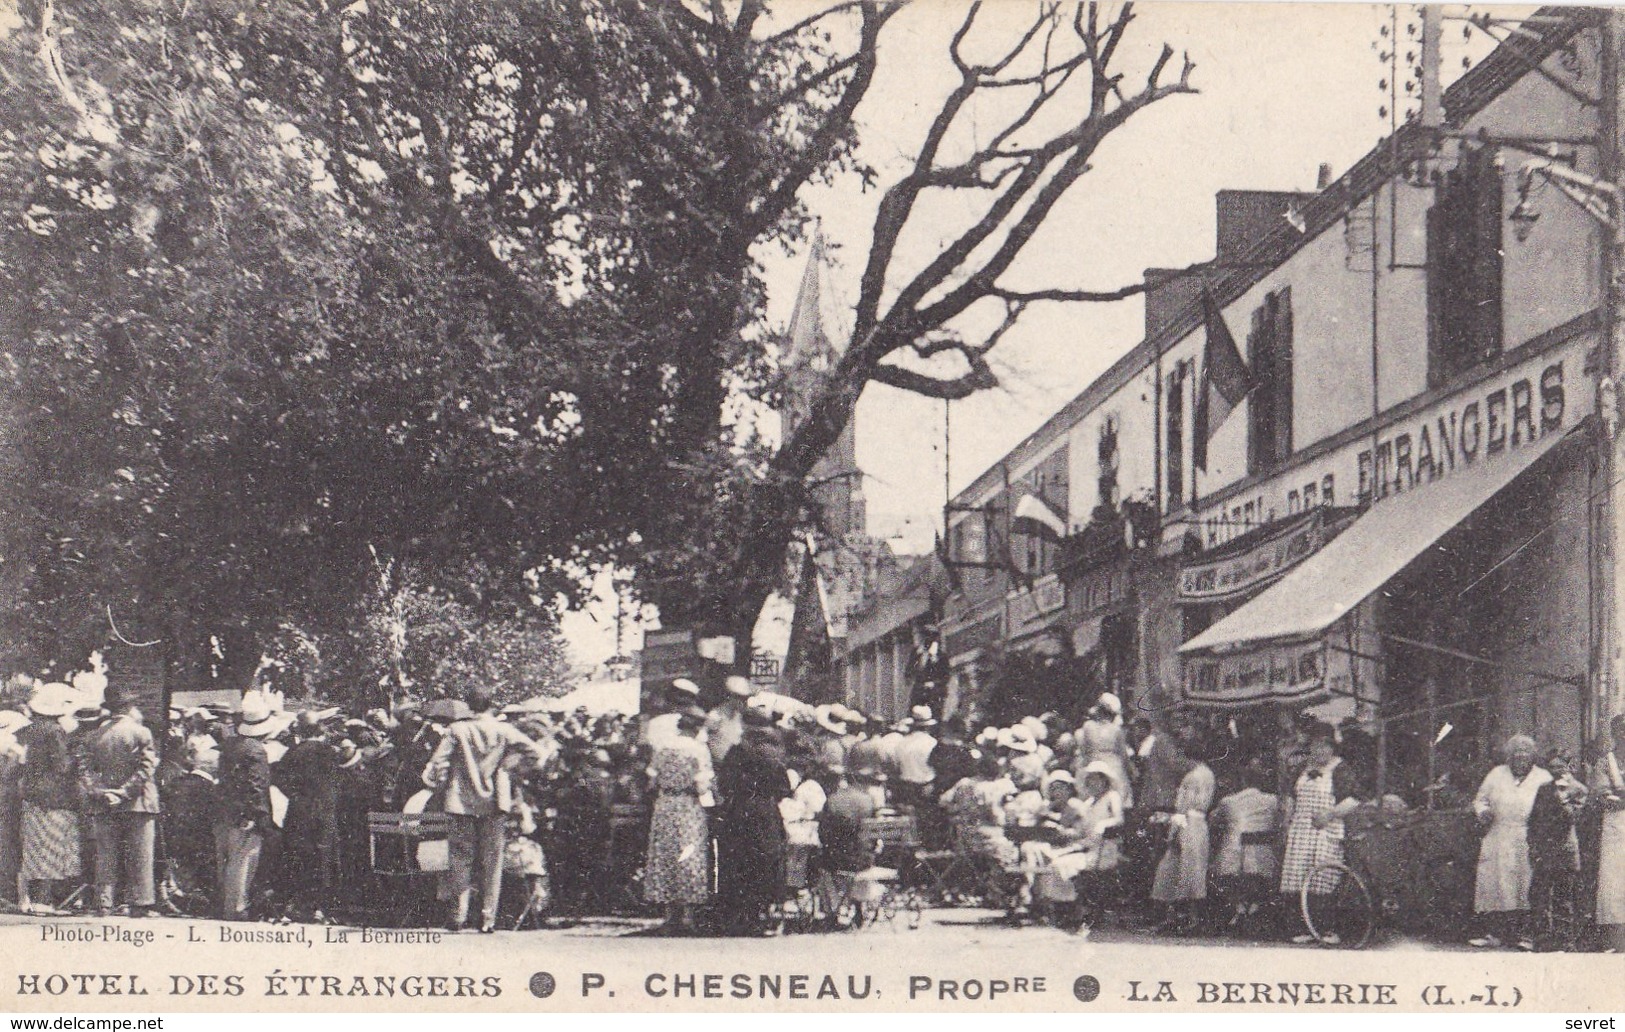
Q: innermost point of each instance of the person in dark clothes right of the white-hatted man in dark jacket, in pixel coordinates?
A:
(308, 776)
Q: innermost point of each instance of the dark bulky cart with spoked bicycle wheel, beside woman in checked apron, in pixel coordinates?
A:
(1408, 869)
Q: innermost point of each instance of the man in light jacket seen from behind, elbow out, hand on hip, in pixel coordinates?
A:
(470, 766)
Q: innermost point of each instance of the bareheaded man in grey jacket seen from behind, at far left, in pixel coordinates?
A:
(121, 778)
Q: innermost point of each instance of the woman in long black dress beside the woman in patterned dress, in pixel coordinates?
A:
(750, 831)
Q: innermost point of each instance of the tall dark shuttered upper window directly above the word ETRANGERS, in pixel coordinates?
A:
(1465, 267)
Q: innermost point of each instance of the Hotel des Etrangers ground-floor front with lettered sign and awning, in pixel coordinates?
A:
(1452, 612)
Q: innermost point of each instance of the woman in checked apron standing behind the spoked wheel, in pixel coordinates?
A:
(1324, 794)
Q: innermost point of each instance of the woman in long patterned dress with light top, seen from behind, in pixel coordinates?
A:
(677, 870)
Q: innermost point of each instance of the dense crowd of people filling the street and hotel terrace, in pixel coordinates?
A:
(743, 800)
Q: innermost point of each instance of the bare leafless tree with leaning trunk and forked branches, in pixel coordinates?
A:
(1013, 137)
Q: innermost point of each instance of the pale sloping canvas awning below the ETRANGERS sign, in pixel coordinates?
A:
(1330, 584)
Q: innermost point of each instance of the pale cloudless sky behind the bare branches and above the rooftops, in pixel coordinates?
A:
(1283, 90)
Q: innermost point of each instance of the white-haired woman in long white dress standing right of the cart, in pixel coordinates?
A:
(1502, 890)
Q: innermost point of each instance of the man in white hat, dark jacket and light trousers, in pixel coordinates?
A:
(243, 805)
